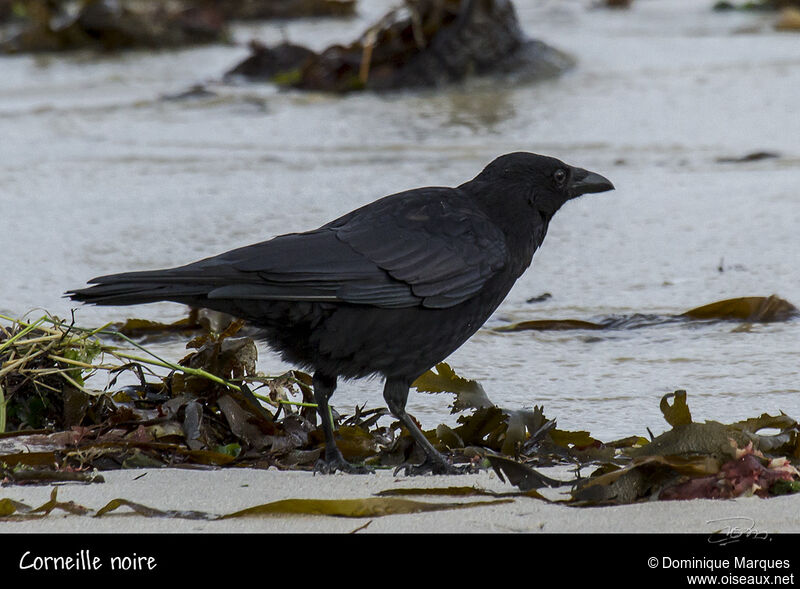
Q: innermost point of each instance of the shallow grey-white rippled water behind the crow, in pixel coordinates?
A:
(100, 174)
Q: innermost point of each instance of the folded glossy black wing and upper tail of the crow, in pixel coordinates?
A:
(425, 247)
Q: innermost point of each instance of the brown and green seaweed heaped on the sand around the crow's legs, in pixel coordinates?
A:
(213, 409)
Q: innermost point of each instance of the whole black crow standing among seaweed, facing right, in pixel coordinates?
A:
(389, 289)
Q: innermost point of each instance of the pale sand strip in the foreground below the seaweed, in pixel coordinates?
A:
(226, 491)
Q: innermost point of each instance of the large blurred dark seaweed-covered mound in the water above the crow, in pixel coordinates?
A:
(424, 43)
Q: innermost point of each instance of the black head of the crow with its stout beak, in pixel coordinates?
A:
(518, 182)
